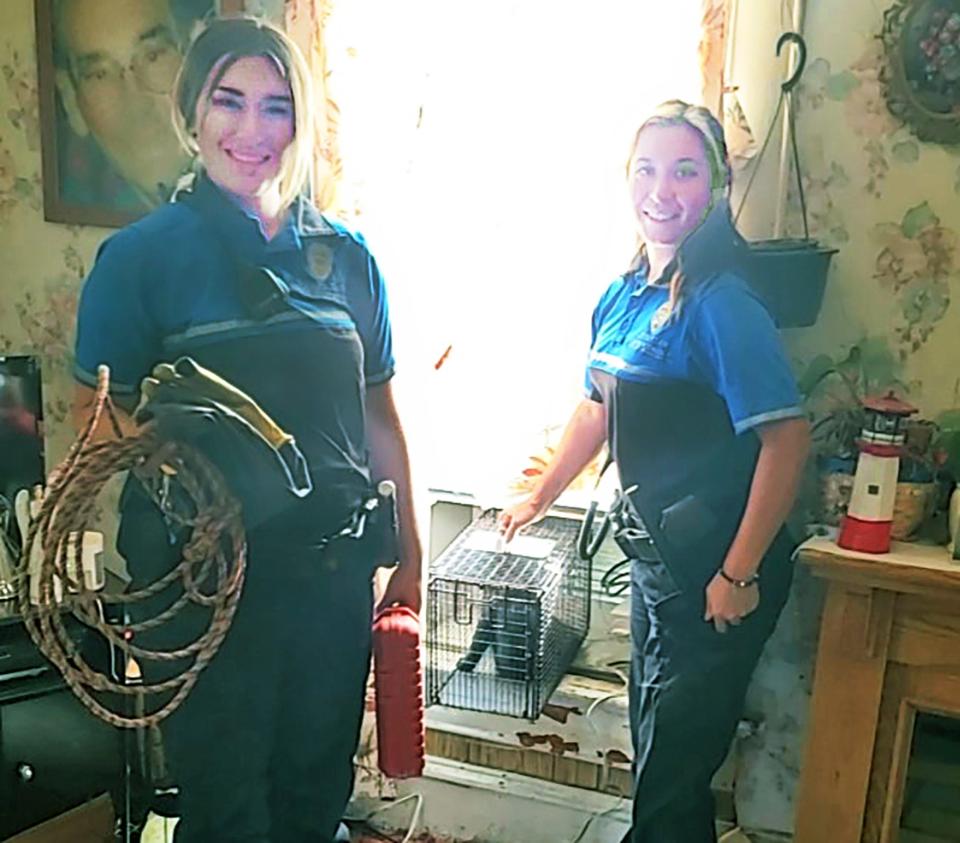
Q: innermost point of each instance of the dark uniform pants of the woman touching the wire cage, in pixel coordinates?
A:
(687, 687)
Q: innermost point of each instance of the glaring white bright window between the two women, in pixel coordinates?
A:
(484, 145)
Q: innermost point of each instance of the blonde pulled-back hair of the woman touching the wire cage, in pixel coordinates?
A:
(698, 118)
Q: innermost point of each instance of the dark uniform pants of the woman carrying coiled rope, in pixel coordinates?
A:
(262, 749)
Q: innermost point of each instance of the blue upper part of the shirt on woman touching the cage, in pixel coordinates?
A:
(722, 337)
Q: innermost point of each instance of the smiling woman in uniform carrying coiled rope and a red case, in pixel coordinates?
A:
(244, 275)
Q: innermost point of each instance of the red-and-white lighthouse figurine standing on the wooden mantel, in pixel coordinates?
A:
(866, 526)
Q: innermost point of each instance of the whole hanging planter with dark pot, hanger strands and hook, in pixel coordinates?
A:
(789, 274)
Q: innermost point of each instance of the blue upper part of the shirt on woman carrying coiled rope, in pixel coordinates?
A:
(166, 285)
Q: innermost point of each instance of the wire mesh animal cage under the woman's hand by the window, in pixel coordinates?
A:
(503, 627)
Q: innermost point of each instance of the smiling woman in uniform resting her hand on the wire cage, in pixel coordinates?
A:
(688, 383)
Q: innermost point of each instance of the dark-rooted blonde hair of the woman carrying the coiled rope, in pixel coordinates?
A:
(212, 52)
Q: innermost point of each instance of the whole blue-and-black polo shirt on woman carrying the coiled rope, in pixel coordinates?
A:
(177, 282)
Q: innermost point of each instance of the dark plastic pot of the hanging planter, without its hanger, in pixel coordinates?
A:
(790, 276)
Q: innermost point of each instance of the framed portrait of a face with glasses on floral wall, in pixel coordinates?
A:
(106, 69)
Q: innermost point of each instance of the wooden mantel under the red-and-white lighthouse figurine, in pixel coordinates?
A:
(889, 647)
